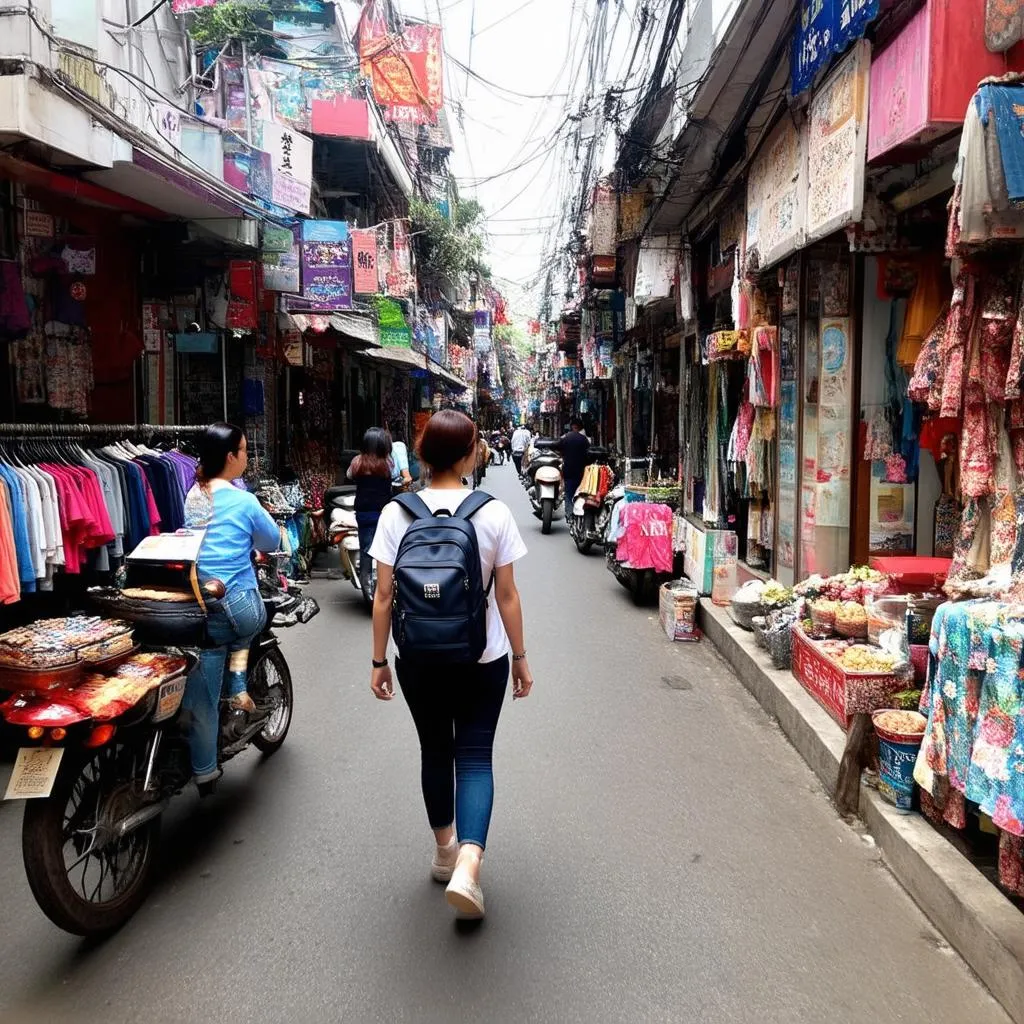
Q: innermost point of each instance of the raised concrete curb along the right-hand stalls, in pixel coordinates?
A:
(974, 917)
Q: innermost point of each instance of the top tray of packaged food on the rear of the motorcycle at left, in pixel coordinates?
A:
(57, 644)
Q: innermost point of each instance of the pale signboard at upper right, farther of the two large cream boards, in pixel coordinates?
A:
(777, 196)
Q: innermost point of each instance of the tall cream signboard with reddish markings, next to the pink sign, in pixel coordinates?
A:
(837, 146)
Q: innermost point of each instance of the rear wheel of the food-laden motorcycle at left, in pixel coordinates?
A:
(86, 878)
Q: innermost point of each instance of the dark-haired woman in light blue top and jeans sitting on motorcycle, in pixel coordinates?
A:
(236, 525)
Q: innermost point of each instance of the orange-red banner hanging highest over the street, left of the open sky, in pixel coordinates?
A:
(405, 69)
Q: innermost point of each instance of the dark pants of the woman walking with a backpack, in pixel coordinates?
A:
(456, 710)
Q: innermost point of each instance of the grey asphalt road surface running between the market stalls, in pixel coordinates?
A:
(659, 852)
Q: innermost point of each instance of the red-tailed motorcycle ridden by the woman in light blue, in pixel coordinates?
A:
(105, 749)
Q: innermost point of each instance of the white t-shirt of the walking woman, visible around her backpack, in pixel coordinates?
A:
(497, 535)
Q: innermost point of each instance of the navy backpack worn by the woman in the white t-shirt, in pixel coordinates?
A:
(439, 612)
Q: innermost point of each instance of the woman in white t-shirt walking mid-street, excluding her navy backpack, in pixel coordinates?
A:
(456, 707)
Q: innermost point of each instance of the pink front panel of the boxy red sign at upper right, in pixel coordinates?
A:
(901, 86)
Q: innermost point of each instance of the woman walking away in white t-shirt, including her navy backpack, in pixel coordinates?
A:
(441, 556)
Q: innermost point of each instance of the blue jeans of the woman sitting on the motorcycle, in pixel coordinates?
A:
(221, 671)
